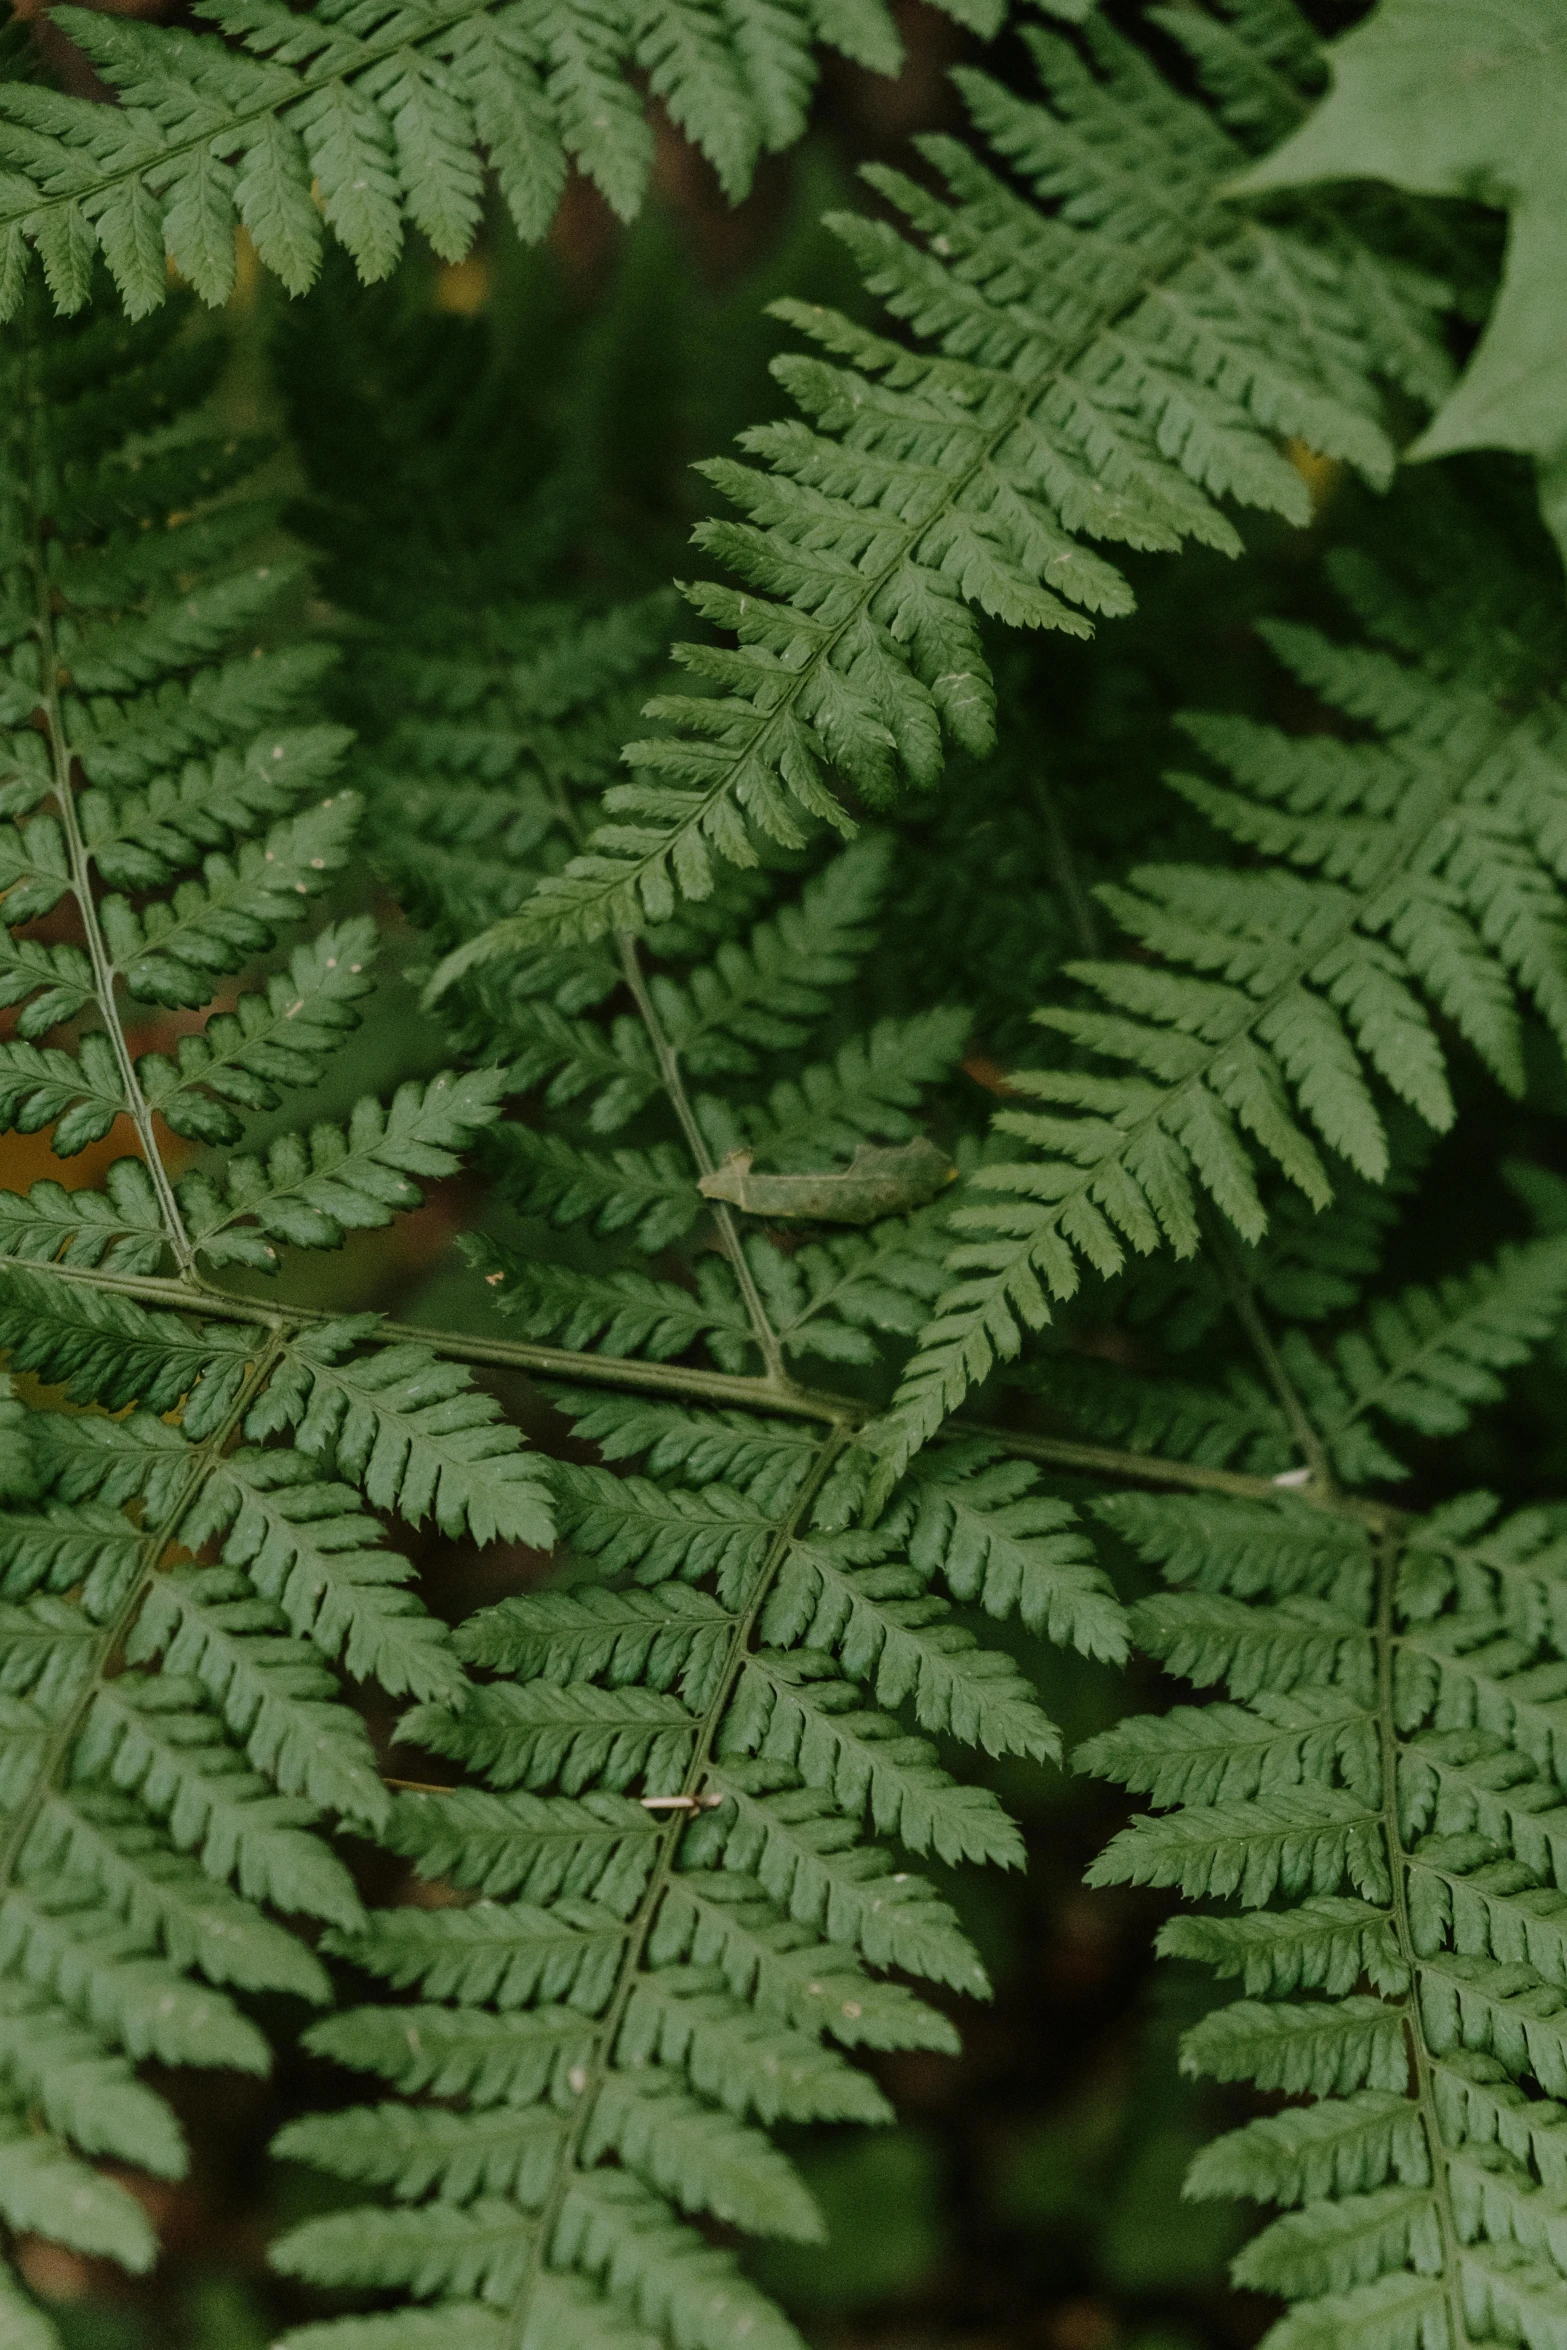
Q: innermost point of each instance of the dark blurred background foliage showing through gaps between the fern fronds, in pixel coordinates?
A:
(1030, 2194)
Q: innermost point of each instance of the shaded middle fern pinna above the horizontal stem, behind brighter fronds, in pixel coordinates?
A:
(483, 763)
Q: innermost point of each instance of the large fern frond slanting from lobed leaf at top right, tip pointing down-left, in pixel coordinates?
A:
(1103, 361)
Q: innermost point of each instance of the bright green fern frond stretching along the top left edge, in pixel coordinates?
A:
(368, 121)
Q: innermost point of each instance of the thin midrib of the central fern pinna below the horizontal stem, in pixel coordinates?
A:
(664, 1867)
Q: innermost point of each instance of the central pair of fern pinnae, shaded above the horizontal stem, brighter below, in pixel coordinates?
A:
(687, 1768)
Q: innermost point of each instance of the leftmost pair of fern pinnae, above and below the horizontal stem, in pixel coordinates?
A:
(180, 1594)
